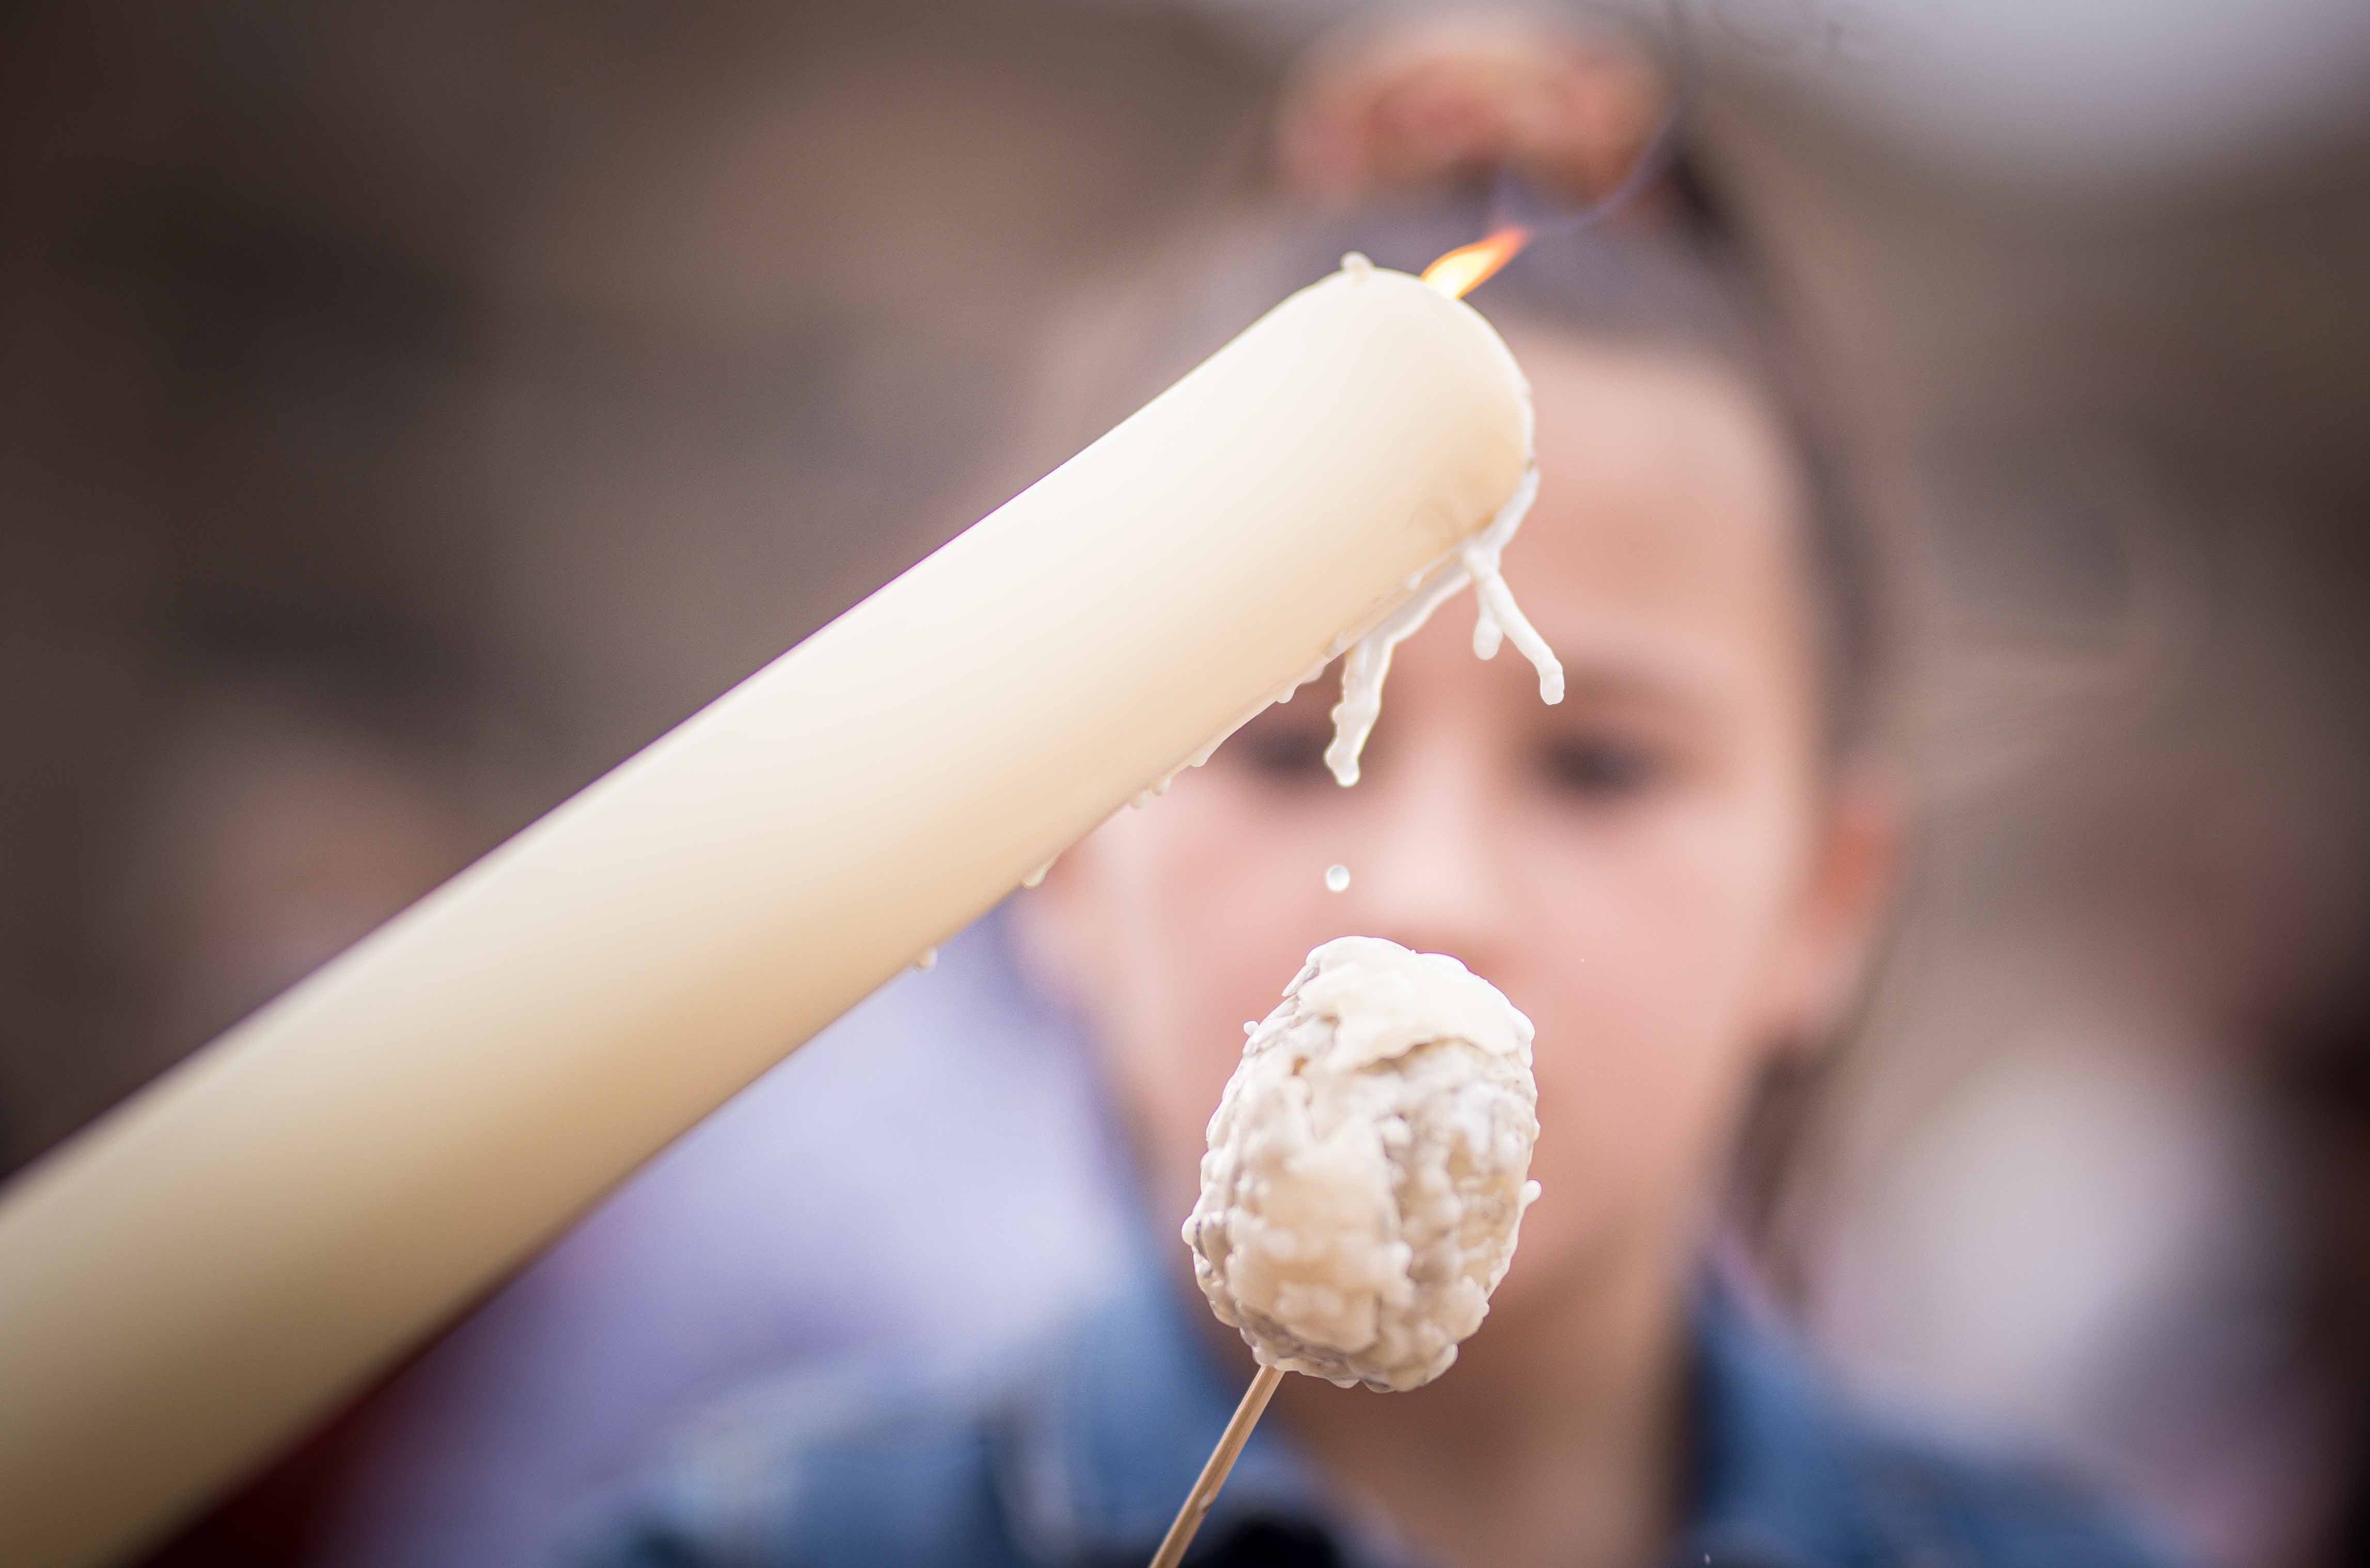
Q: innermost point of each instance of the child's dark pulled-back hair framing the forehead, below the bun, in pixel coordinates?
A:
(1679, 283)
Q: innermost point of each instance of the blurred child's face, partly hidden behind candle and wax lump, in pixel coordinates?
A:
(1663, 873)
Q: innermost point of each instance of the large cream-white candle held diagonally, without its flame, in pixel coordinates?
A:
(255, 1235)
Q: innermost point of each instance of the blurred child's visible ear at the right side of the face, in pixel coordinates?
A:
(1845, 899)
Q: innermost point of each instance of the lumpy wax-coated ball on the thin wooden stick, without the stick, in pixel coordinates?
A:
(1369, 1167)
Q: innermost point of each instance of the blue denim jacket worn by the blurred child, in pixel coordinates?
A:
(1080, 1455)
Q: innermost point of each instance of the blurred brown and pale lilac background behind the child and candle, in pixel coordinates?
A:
(406, 411)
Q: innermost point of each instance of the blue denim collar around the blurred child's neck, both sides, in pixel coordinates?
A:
(1113, 1429)
